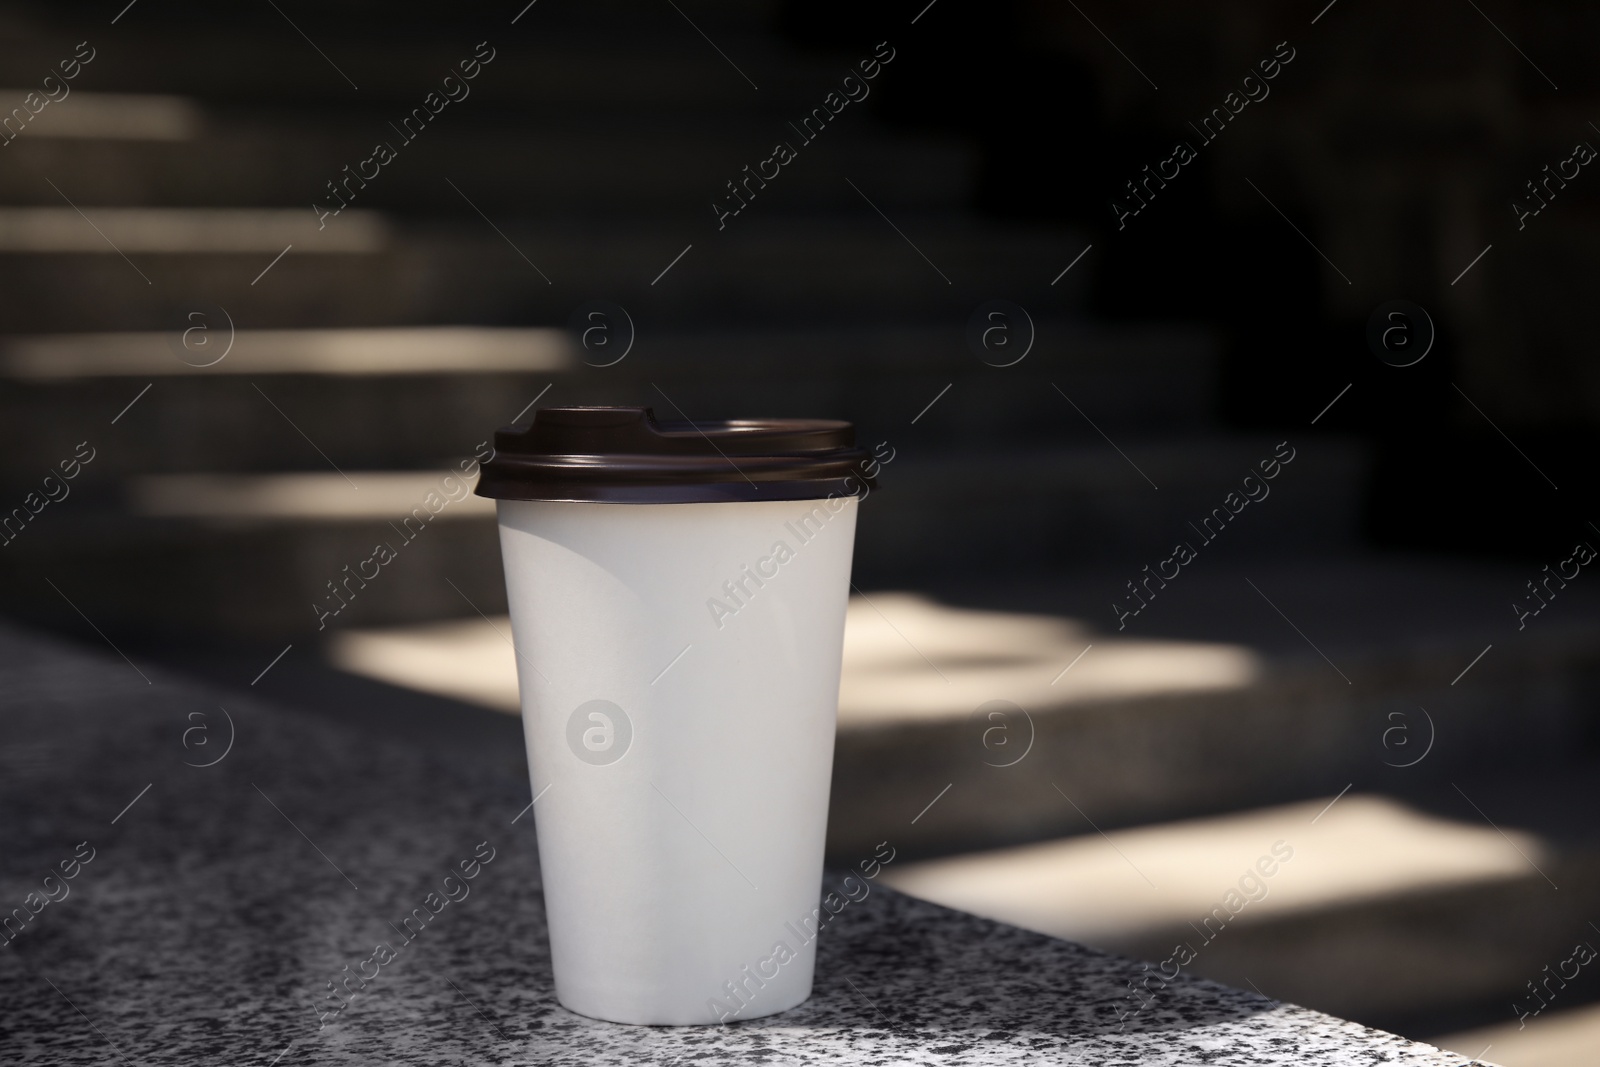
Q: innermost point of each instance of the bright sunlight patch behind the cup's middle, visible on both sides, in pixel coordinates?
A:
(886, 681)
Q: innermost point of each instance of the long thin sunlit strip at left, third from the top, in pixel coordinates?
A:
(350, 353)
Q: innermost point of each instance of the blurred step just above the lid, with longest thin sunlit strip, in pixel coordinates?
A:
(410, 398)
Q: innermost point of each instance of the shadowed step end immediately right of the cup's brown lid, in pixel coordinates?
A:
(1087, 505)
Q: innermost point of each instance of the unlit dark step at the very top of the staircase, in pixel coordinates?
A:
(647, 55)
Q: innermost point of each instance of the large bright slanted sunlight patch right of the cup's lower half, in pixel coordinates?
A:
(1106, 889)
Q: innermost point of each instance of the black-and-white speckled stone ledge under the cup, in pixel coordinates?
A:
(222, 903)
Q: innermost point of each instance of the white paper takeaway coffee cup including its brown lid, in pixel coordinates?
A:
(678, 599)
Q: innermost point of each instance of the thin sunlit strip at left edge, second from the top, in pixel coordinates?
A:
(132, 231)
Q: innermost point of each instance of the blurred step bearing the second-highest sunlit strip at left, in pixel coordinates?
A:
(361, 271)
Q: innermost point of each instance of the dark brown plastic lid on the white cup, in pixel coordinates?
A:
(626, 457)
